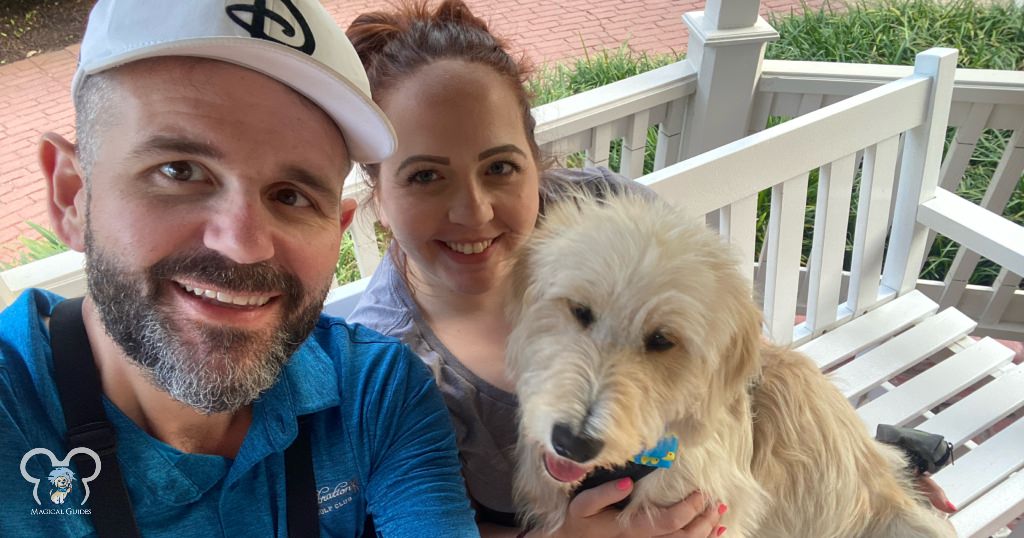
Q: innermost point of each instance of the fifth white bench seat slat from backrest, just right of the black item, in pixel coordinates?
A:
(985, 467)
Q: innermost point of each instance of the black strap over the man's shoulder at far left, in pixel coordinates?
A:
(78, 385)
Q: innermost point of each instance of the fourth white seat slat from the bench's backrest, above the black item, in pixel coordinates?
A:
(982, 409)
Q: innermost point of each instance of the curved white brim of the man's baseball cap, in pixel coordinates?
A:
(368, 134)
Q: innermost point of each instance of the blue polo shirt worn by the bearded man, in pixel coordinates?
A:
(381, 438)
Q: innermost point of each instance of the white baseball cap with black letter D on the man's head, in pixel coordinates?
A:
(295, 43)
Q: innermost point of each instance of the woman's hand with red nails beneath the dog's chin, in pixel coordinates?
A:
(591, 514)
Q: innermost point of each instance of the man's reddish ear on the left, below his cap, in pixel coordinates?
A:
(66, 198)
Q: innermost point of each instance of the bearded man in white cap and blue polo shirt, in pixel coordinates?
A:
(205, 189)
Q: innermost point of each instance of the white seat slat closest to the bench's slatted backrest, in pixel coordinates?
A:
(870, 329)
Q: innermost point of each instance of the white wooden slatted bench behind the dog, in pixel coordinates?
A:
(901, 358)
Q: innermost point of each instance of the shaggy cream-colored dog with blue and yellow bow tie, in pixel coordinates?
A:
(633, 322)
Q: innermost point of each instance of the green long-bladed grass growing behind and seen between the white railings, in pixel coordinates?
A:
(989, 35)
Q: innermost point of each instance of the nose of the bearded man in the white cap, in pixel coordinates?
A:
(241, 230)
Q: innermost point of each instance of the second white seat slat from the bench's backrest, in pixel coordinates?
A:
(902, 352)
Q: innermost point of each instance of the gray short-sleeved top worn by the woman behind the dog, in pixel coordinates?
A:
(484, 417)
